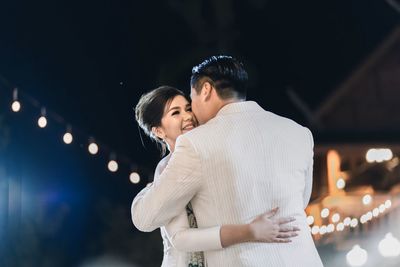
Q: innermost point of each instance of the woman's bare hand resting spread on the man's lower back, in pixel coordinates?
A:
(266, 228)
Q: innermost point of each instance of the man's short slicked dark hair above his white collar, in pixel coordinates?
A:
(226, 74)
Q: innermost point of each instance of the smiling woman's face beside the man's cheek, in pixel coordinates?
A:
(178, 119)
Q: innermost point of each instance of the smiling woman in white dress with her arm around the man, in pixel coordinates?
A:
(165, 113)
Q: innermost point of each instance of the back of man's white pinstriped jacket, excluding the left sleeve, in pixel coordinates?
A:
(253, 161)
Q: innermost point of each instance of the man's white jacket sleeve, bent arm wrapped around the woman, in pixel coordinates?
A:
(156, 205)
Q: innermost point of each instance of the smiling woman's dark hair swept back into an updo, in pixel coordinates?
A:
(150, 110)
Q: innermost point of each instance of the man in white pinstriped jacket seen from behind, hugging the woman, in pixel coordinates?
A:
(241, 161)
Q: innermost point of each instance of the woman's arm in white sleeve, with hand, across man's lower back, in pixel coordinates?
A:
(264, 228)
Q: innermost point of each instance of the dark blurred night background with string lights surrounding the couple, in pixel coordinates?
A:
(67, 179)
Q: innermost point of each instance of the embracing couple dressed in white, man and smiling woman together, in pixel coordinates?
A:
(233, 188)
